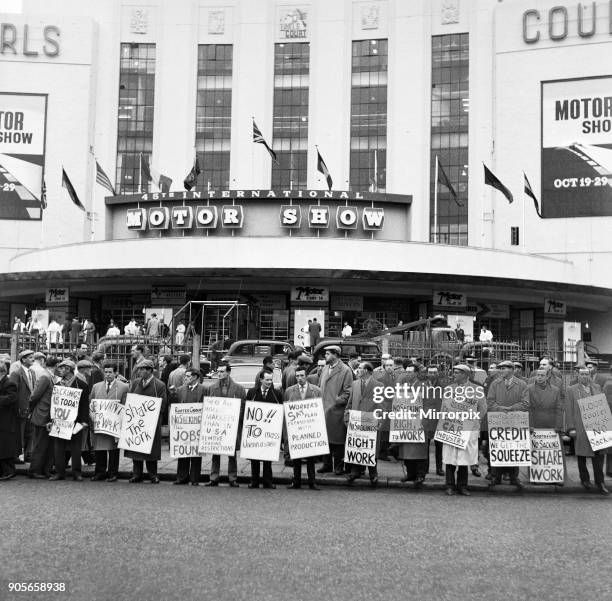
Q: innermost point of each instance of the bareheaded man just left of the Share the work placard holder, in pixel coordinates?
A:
(105, 446)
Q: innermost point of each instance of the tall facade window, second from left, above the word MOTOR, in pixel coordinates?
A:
(213, 113)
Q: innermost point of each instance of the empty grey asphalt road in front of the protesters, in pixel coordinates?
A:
(146, 542)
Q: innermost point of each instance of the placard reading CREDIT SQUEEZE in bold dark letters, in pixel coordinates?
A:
(509, 440)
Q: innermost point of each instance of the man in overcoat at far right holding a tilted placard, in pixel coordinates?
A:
(575, 426)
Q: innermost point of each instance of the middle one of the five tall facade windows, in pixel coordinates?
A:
(290, 119)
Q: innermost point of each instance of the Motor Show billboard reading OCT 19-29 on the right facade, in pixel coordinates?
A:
(576, 150)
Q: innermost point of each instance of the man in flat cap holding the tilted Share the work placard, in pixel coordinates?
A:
(148, 385)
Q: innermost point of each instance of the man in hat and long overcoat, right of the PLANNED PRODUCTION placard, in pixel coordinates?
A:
(336, 383)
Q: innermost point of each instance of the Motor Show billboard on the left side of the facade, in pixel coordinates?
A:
(23, 120)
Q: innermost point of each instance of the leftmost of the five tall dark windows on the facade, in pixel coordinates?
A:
(135, 118)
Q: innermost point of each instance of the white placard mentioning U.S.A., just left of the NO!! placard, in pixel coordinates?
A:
(220, 419)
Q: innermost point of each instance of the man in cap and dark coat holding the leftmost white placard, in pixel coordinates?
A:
(67, 377)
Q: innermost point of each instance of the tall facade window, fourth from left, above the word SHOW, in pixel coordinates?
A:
(369, 116)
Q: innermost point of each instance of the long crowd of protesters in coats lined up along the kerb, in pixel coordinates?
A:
(26, 389)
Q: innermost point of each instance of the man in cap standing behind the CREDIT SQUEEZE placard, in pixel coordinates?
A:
(506, 394)
